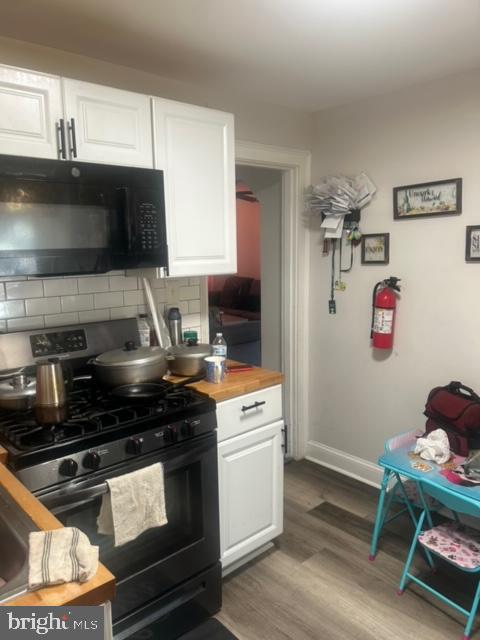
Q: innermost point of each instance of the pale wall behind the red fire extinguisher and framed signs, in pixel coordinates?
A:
(357, 398)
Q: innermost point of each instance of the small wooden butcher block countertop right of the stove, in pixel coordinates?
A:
(237, 383)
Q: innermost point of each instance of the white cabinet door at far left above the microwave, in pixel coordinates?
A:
(30, 109)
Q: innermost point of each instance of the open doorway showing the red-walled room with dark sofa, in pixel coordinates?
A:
(247, 307)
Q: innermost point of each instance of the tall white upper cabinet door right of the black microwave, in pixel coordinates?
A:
(195, 148)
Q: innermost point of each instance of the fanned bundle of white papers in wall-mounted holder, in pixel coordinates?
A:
(335, 196)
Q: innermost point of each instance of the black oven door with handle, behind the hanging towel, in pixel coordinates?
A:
(163, 557)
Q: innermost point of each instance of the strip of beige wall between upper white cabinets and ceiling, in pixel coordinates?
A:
(254, 121)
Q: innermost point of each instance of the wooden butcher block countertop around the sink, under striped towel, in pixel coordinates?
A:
(96, 591)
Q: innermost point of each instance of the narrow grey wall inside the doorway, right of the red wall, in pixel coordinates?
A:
(267, 186)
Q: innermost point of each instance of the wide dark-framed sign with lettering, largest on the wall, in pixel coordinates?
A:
(443, 197)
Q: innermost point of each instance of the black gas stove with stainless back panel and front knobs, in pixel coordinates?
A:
(170, 576)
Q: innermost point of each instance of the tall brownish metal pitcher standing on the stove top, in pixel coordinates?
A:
(51, 398)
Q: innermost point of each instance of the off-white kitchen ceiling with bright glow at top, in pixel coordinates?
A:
(305, 54)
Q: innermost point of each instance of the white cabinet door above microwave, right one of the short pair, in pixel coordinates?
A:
(111, 126)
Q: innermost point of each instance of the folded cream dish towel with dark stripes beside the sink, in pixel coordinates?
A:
(62, 555)
